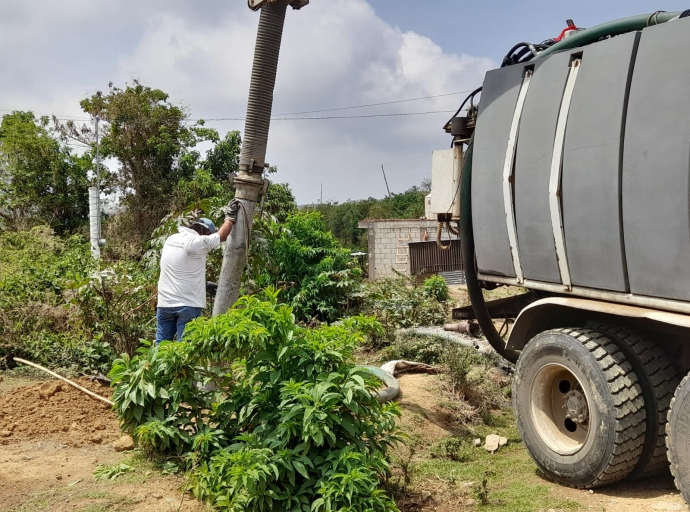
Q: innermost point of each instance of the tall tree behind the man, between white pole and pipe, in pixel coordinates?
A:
(148, 135)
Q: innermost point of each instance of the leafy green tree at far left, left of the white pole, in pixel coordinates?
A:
(41, 181)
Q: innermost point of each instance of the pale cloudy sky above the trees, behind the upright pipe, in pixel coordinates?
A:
(335, 53)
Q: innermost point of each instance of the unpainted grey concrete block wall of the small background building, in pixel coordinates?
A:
(388, 243)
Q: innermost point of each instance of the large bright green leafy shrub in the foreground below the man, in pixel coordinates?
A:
(293, 425)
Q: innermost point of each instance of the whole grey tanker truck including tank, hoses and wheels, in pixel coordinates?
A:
(576, 186)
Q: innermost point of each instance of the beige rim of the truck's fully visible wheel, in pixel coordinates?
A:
(560, 409)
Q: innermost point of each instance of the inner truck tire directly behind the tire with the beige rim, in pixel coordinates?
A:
(658, 379)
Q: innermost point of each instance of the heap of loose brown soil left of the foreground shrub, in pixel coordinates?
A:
(59, 412)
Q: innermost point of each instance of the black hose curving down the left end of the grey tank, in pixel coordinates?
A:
(467, 246)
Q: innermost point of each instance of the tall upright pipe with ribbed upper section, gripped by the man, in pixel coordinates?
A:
(249, 182)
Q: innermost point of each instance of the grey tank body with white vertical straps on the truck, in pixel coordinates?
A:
(581, 170)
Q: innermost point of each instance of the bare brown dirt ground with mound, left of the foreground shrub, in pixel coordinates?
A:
(49, 448)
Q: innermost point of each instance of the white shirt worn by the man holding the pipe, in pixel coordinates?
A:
(182, 280)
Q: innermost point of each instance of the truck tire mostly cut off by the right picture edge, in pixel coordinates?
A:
(677, 440)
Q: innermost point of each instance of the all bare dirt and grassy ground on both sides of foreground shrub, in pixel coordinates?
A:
(54, 444)
